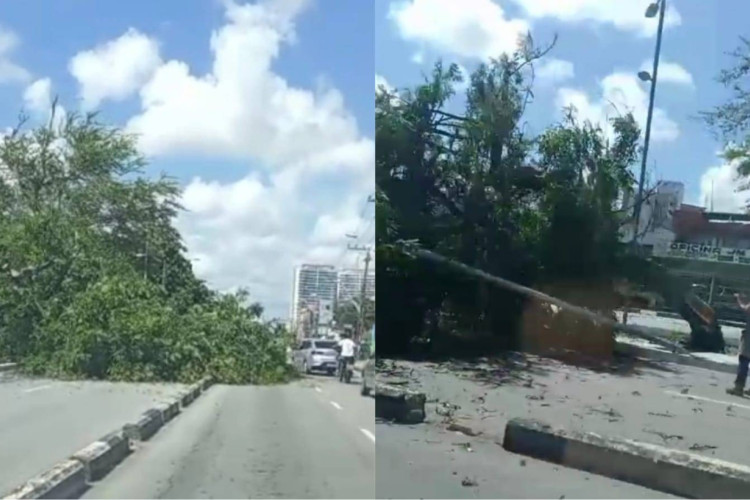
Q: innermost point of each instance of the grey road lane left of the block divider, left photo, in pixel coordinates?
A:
(45, 421)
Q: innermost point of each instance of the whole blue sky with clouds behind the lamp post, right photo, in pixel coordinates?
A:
(601, 46)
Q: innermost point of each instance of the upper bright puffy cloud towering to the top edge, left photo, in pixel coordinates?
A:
(241, 108)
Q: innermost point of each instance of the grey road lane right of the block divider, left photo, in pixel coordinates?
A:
(310, 439)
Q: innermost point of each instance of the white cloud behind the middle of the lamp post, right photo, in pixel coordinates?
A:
(619, 93)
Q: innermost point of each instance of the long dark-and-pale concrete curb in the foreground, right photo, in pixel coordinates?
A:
(671, 471)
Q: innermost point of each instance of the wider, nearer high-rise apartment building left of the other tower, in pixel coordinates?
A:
(313, 297)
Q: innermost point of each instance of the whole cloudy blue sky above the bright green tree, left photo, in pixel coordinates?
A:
(263, 111)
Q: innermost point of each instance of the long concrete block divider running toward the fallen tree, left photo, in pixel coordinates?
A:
(73, 476)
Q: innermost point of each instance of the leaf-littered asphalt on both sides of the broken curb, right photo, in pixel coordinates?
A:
(671, 405)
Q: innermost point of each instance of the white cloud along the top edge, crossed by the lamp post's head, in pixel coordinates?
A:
(625, 15)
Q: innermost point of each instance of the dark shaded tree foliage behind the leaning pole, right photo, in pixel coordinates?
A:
(477, 188)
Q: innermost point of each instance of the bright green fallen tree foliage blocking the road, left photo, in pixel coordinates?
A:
(93, 278)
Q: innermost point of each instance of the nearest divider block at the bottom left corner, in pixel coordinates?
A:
(67, 479)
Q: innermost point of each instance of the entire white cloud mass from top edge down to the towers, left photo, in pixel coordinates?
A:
(313, 168)
